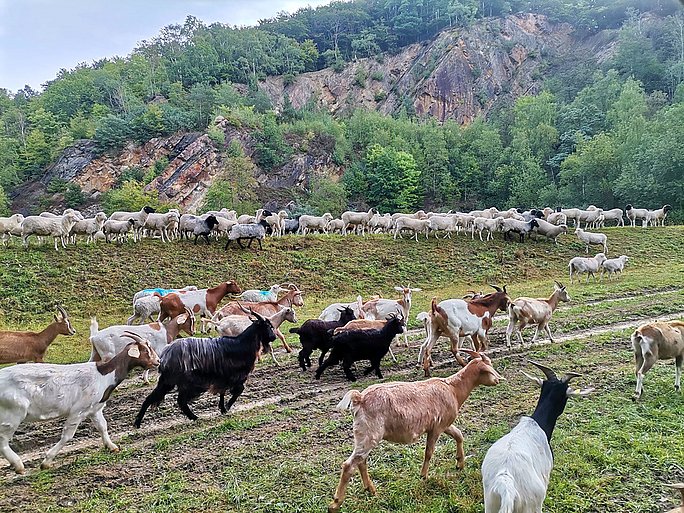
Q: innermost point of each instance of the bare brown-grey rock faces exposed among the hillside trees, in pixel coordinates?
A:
(461, 74)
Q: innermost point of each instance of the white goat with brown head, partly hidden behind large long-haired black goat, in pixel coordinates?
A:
(108, 342)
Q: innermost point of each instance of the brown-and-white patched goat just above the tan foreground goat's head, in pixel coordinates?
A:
(458, 318)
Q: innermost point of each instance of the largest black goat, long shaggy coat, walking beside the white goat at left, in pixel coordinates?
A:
(217, 365)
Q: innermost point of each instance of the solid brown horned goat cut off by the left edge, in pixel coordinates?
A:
(27, 346)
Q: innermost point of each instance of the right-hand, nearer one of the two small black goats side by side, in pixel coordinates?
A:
(354, 345)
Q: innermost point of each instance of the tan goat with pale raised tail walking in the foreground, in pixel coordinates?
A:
(401, 412)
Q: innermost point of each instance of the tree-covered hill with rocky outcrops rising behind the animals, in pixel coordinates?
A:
(440, 103)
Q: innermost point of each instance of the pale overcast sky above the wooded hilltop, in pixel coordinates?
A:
(39, 37)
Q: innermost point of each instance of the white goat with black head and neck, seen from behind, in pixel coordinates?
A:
(516, 468)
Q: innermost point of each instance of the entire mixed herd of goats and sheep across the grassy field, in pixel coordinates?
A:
(515, 470)
